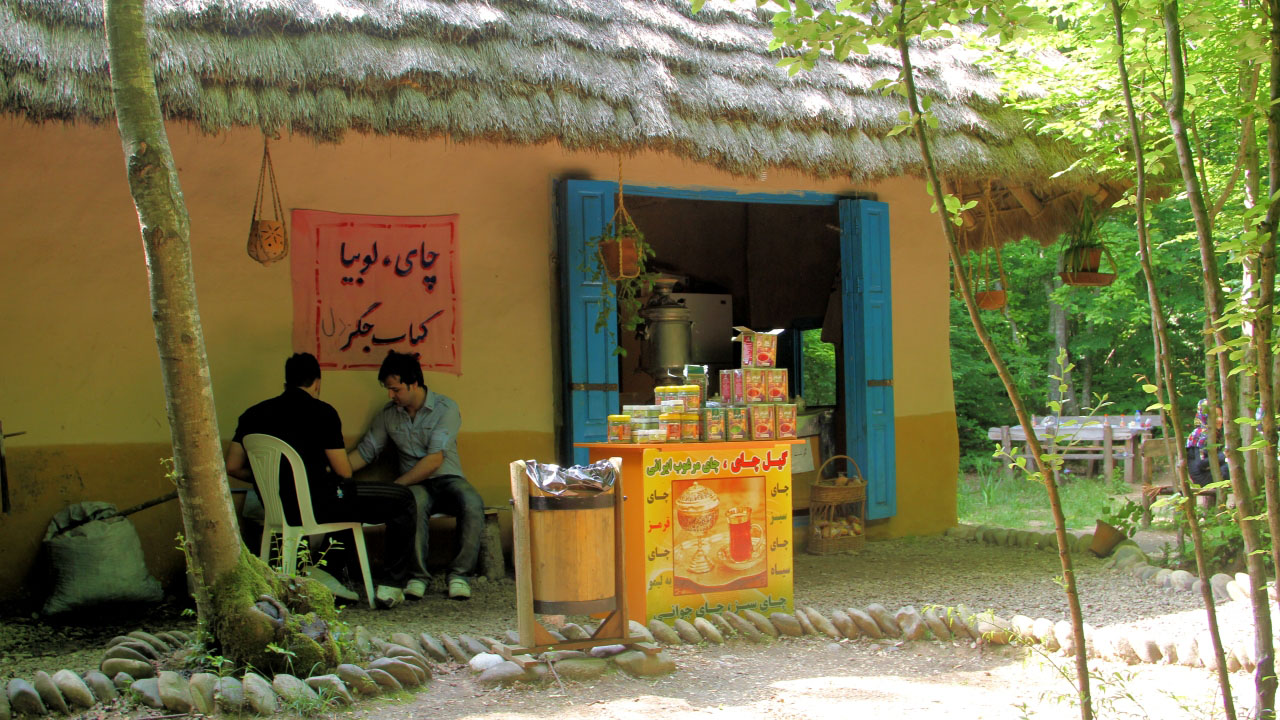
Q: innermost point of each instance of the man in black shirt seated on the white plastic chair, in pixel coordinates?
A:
(313, 429)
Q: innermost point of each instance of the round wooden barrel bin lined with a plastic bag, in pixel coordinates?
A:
(572, 545)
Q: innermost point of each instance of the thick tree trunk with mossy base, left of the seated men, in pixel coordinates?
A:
(230, 581)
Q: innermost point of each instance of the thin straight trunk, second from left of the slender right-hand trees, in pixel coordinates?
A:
(1165, 386)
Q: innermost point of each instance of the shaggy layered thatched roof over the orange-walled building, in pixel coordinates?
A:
(606, 75)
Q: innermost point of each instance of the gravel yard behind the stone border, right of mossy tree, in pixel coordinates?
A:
(920, 572)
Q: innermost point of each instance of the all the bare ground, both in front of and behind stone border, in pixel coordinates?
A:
(811, 678)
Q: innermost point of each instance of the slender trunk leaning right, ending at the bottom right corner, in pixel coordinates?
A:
(1265, 680)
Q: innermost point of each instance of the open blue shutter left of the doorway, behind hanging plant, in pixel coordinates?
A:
(591, 368)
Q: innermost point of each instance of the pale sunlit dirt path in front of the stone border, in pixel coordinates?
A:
(816, 680)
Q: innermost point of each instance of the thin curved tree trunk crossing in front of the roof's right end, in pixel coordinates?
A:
(1046, 473)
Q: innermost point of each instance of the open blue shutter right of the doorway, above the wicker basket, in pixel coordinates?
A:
(868, 362)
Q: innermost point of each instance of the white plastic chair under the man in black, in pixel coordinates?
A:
(264, 455)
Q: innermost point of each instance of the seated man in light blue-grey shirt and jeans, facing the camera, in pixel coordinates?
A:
(424, 427)
